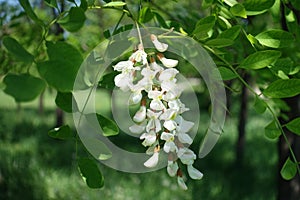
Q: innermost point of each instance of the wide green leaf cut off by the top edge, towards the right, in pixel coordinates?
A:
(256, 7)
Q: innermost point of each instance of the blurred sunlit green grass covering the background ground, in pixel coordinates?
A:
(35, 166)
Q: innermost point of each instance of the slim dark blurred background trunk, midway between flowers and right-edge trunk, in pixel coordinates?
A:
(242, 123)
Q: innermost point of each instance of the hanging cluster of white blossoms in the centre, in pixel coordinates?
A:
(158, 119)
